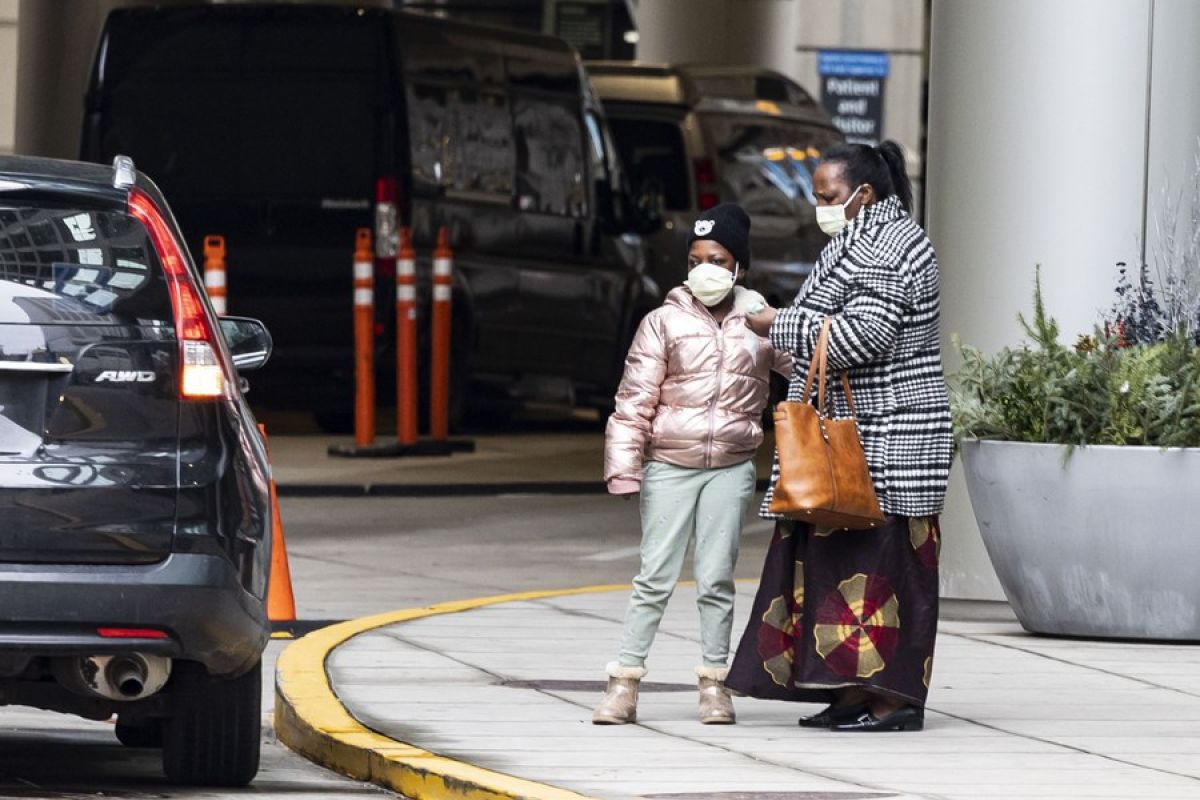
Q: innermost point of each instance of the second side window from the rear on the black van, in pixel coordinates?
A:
(551, 166)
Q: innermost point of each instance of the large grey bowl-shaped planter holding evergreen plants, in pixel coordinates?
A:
(1105, 546)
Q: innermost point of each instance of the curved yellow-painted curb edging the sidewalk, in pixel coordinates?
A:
(311, 720)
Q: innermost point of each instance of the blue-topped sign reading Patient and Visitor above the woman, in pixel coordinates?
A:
(853, 92)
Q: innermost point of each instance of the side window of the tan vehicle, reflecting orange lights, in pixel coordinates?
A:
(767, 165)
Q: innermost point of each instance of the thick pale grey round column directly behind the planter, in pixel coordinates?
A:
(1043, 119)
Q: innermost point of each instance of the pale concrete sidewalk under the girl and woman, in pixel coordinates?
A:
(509, 689)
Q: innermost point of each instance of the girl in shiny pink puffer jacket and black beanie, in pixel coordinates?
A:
(685, 434)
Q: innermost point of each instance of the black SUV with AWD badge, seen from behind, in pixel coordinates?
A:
(135, 486)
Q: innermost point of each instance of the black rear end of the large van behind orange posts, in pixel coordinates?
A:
(269, 127)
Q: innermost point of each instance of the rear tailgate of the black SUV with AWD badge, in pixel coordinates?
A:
(89, 389)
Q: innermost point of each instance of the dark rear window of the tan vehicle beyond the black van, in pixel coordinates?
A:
(655, 160)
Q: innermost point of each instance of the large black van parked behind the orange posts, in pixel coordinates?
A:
(285, 128)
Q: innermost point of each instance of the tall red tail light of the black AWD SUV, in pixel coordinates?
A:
(203, 376)
